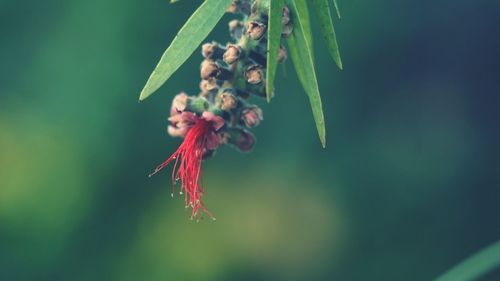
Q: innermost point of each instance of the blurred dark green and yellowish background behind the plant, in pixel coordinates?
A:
(407, 187)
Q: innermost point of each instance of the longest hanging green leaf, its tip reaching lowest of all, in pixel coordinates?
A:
(301, 53)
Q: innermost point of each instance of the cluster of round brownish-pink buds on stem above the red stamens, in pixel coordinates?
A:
(231, 73)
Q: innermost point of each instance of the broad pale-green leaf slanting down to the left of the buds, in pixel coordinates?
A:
(194, 31)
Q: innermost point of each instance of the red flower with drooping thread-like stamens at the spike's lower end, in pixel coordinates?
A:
(200, 135)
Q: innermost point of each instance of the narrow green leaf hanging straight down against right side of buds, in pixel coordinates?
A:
(273, 43)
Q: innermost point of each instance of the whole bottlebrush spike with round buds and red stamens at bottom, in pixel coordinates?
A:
(221, 113)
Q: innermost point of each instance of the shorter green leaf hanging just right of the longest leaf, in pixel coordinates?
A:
(322, 11)
